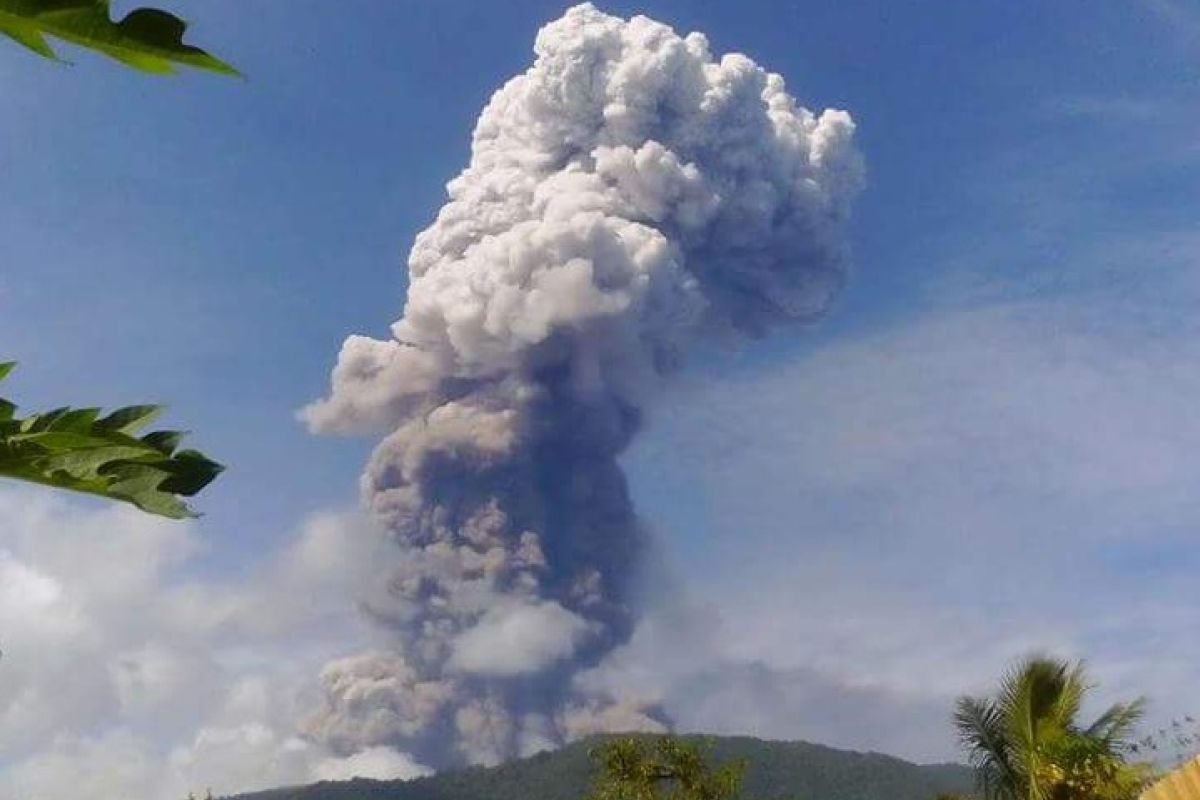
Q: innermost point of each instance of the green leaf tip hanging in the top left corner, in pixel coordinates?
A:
(149, 40)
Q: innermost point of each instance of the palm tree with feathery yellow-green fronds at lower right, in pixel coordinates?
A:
(1027, 743)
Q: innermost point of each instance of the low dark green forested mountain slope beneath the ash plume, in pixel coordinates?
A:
(777, 771)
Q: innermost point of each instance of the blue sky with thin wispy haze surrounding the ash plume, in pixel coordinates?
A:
(988, 447)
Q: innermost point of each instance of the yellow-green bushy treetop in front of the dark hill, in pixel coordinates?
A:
(667, 769)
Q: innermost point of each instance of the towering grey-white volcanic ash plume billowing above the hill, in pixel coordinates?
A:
(626, 196)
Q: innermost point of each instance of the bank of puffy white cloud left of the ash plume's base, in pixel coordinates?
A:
(125, 675)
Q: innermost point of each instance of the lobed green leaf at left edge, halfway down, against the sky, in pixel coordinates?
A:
(83, 452)
